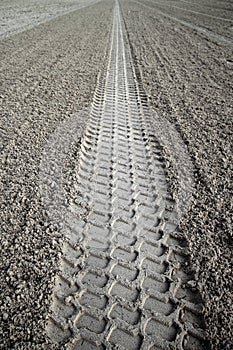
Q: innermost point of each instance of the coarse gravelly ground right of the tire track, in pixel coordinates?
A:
(188, 79)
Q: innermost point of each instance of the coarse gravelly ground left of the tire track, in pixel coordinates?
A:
(54, 80)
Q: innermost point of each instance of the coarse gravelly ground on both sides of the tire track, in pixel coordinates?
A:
(187, 74)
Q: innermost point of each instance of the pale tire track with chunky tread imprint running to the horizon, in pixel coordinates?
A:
(122, 281)
